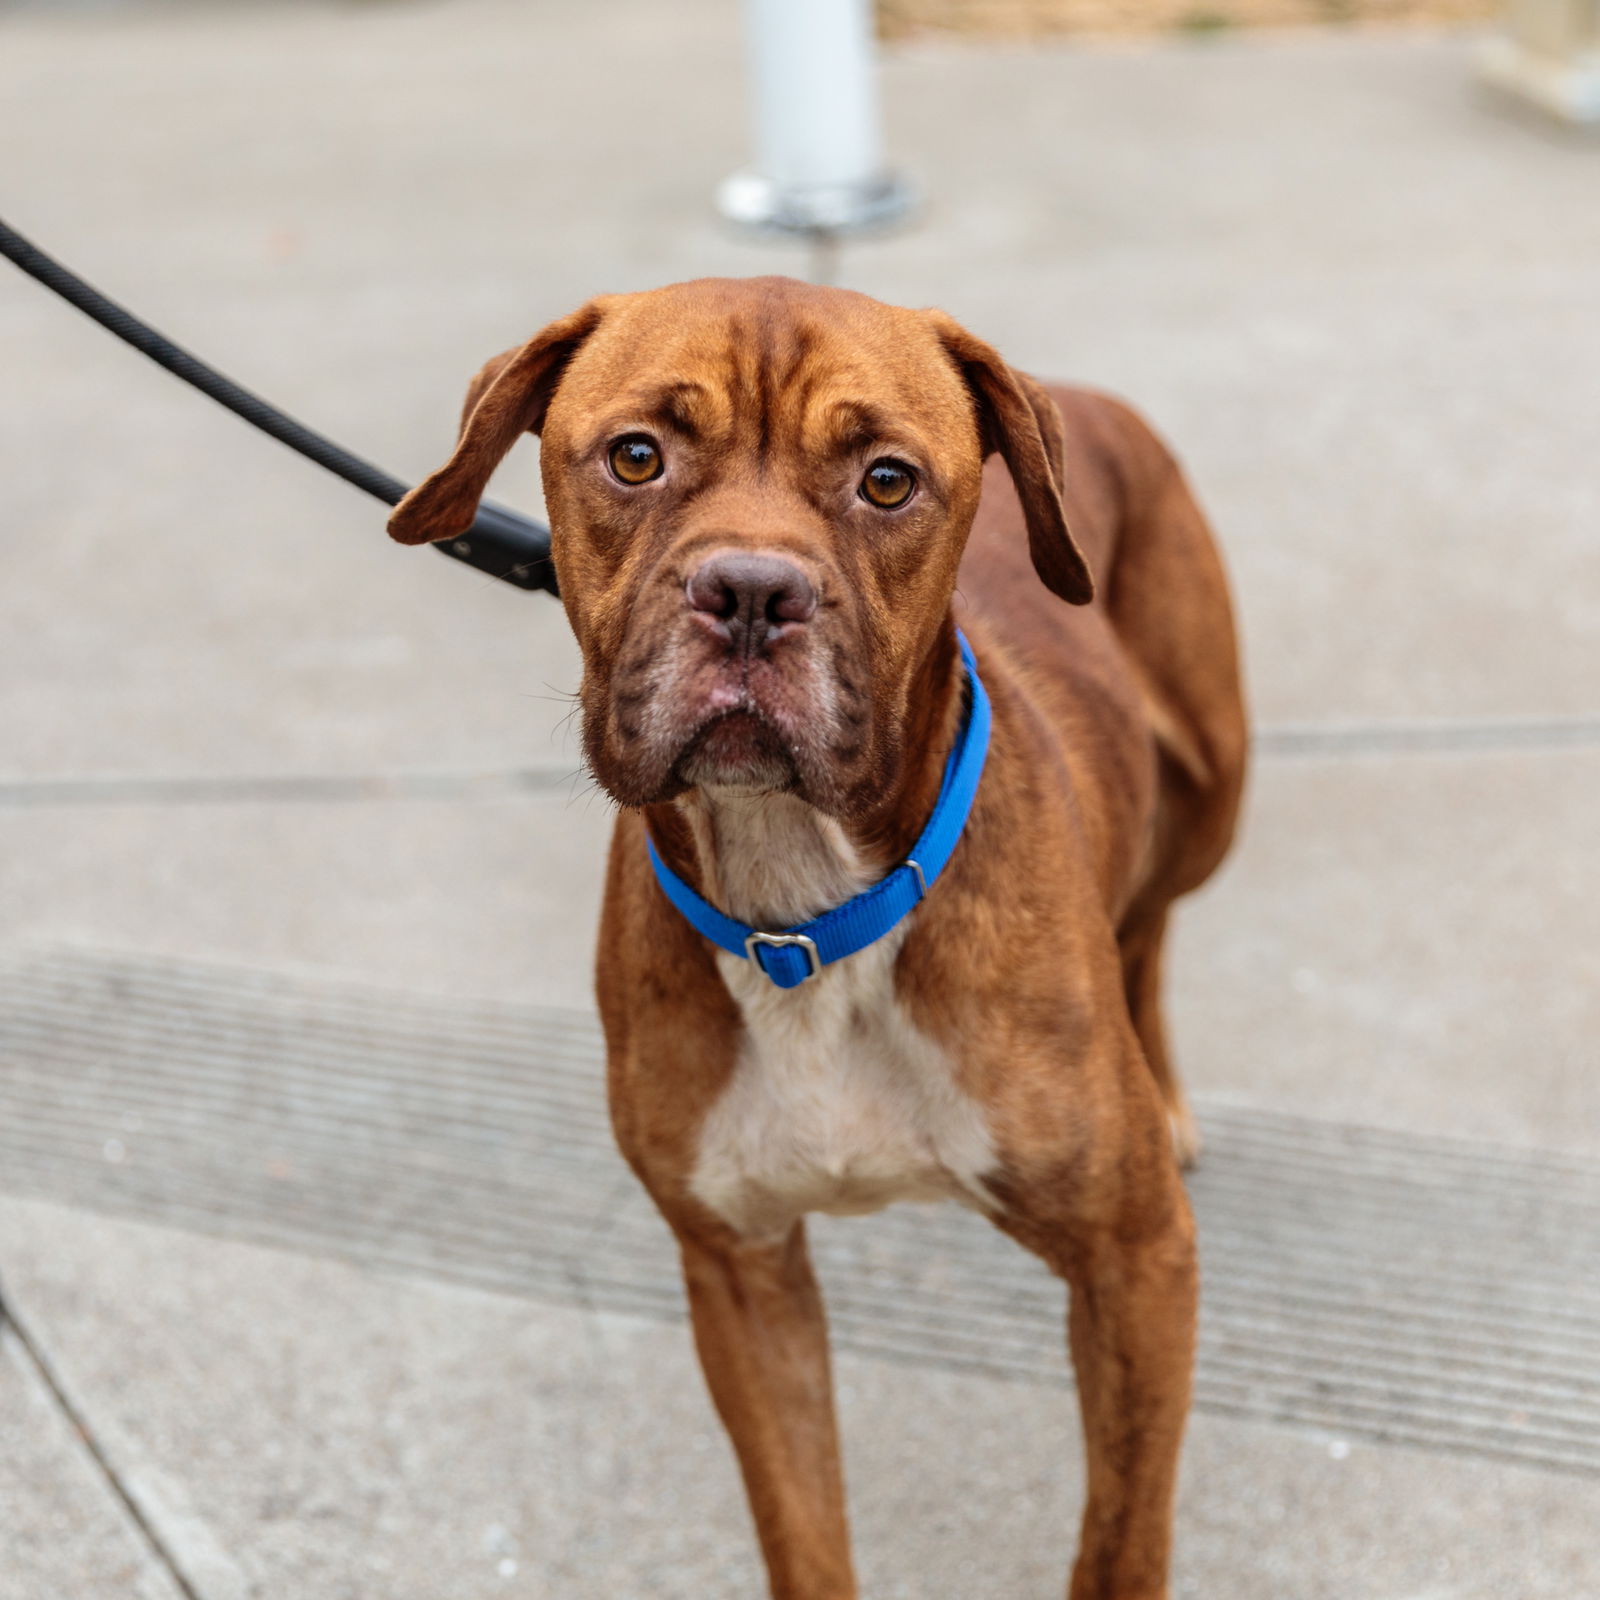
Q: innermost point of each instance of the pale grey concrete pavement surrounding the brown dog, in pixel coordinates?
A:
(322, 1276)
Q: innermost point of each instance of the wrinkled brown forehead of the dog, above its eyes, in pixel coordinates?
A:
(764, 366)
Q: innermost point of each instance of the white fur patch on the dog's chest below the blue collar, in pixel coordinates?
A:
(838, 1105)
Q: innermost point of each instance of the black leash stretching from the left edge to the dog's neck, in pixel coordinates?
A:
(502, 543)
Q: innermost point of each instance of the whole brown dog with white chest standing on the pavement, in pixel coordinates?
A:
(770, 513)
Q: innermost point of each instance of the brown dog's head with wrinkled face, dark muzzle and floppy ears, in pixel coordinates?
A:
(759, 495)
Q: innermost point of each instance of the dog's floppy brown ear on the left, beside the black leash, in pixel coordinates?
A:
(506, 399)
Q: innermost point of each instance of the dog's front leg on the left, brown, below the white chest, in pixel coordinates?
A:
(762, 1340)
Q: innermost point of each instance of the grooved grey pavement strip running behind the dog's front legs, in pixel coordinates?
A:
(1425, 1292)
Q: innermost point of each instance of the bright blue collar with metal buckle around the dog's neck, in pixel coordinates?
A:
(798, 954)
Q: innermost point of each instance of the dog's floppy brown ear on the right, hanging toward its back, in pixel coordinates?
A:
(1020, 420)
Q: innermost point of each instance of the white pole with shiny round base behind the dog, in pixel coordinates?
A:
(818, 148)
